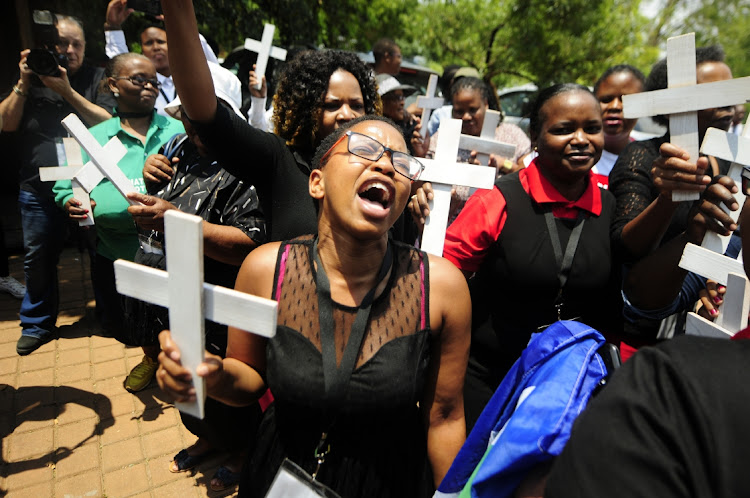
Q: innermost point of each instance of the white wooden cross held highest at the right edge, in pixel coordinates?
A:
(683, 98)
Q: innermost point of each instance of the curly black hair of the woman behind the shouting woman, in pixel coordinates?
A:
(298, 102)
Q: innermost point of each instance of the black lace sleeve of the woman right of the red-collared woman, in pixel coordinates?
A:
(630, 182)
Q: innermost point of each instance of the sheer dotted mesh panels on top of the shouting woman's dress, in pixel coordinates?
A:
(390, 319)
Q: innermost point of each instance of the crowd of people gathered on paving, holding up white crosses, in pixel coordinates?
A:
(384, 356)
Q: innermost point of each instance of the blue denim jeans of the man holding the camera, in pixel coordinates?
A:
(44, 226)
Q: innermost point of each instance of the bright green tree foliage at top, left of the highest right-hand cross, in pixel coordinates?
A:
(542, 41)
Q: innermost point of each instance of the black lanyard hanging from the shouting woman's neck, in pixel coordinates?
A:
(337, 378)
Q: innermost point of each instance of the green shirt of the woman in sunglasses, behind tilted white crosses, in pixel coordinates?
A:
(115, 230)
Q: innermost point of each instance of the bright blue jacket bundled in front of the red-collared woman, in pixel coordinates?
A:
(529, 418)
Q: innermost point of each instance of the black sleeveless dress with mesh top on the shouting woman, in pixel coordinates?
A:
(377, 439)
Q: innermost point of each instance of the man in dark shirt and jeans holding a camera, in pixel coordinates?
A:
(34, 109)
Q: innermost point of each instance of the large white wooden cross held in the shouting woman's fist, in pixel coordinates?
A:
(190, 300)
